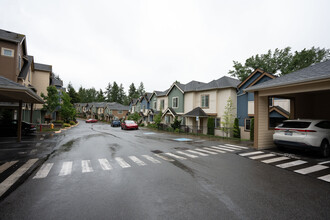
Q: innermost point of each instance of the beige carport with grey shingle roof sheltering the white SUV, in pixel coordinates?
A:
(308, 90)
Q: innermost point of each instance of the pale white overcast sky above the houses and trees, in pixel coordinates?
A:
(92, 43)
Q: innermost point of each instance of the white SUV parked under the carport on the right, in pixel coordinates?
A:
(304, 134)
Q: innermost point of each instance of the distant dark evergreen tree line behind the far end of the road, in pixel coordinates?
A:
(112, 93)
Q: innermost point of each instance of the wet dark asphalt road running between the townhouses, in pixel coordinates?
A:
(222, 186)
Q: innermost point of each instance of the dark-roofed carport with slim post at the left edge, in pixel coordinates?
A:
(12, 92)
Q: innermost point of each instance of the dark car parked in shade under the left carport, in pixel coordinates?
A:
(9, 128)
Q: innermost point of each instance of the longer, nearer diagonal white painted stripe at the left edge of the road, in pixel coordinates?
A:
(7, 183)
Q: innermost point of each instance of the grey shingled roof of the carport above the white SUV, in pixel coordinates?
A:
(314, 72)
